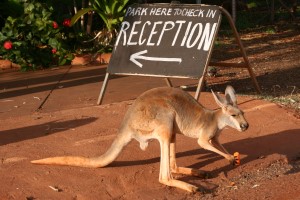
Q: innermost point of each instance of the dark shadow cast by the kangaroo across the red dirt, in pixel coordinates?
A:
(282, 143)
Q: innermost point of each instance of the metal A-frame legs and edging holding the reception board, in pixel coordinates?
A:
(245, 64)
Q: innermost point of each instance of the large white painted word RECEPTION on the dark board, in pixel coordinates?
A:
(197, 35)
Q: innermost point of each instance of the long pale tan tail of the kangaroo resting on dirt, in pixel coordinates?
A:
(111, 154)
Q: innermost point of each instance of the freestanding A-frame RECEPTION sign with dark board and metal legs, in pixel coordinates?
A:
(169, 40)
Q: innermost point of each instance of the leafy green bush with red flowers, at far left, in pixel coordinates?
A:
(37, 41)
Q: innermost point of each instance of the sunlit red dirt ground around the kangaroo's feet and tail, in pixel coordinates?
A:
(269, 150)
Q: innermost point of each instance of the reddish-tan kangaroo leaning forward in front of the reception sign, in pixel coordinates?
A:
(159, 114)
